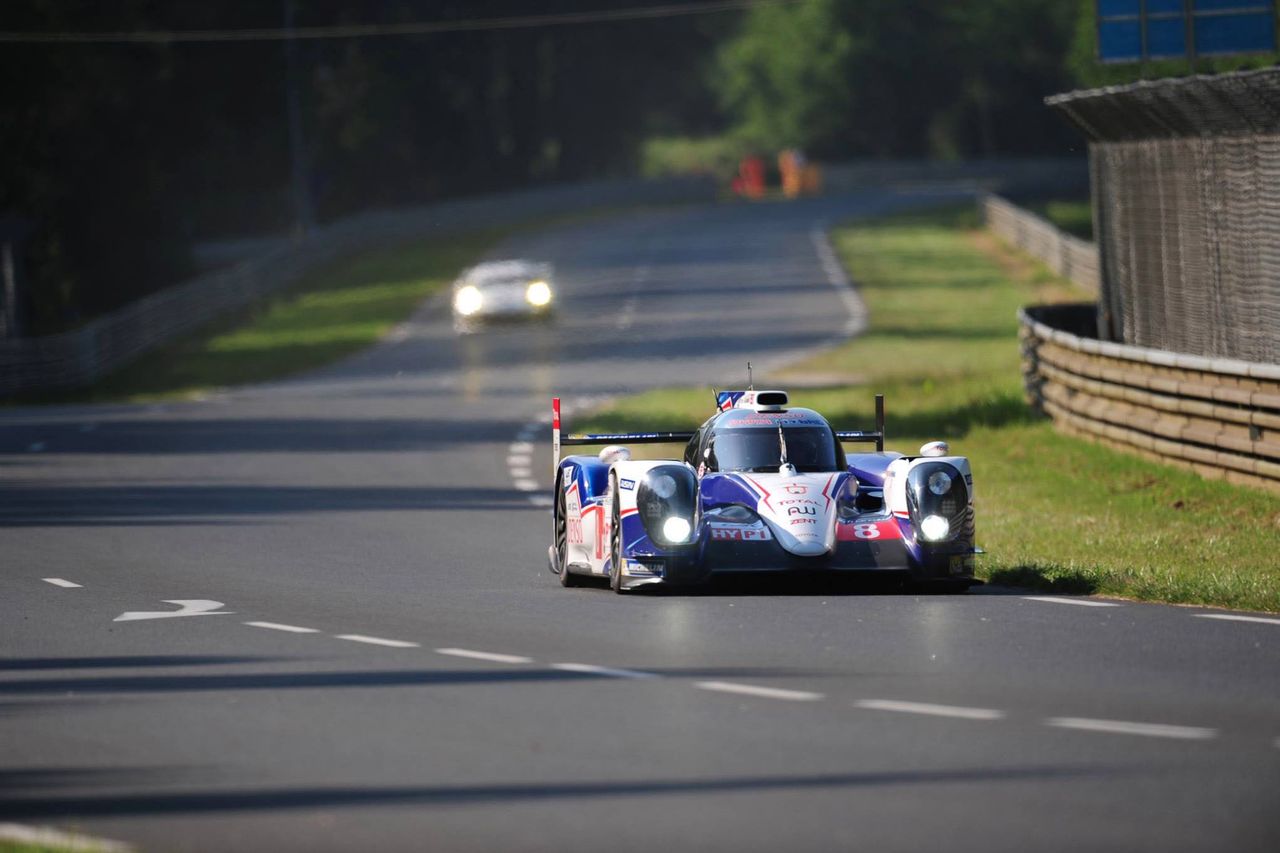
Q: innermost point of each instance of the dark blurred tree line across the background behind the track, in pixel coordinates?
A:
(122, 156)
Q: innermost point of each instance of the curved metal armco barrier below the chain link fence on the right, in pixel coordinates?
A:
(1217, 417)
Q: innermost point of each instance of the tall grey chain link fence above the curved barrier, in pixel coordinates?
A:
(1187, 208)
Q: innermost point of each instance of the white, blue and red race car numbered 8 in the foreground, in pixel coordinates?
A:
(764, 487)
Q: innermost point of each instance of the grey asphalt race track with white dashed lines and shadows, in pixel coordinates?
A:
(390, 665)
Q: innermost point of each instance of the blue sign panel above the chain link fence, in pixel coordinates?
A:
(1133, 31)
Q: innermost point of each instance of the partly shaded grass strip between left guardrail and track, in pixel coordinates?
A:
(326, 317)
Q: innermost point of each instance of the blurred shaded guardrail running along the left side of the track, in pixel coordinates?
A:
(112, 341)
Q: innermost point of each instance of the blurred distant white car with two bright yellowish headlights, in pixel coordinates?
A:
(506, 289)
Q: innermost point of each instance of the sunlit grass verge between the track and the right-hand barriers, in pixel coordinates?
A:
(1054, 513)
